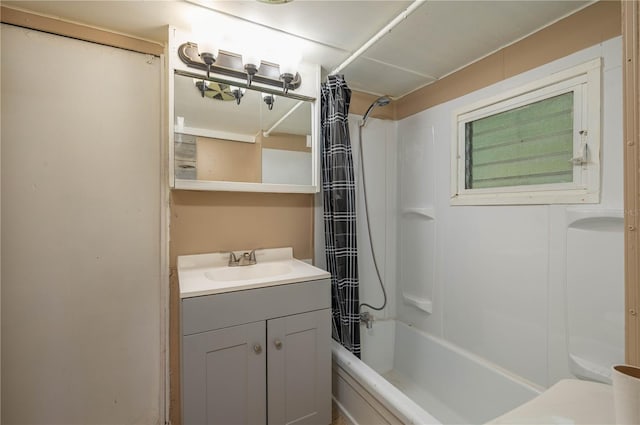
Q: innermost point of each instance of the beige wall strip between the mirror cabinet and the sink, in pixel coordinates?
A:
(221, 221)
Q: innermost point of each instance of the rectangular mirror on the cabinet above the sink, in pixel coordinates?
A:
(217, 139)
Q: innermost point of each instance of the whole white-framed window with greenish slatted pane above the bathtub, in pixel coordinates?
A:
(538, 144)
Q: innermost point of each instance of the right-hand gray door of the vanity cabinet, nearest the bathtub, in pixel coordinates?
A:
(299, 364)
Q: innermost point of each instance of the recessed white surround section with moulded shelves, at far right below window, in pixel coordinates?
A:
(595, 298)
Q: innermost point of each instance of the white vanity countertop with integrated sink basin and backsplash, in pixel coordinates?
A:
(194, 269)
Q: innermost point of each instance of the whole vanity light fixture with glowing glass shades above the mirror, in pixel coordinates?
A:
(248, 67)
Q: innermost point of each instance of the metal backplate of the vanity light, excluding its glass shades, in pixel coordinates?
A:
(230, 64)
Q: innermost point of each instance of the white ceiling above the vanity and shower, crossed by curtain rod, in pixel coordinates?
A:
(438, 38)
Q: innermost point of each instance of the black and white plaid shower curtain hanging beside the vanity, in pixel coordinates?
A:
(339, 194)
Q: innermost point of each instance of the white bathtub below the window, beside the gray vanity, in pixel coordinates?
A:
(411, 377)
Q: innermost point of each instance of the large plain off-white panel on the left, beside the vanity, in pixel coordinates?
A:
(81, 247)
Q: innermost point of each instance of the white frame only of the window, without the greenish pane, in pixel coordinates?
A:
(585, 82)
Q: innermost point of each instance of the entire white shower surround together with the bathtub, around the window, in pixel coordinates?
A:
(511, 298)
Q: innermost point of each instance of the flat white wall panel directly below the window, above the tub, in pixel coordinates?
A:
(495, 291)
